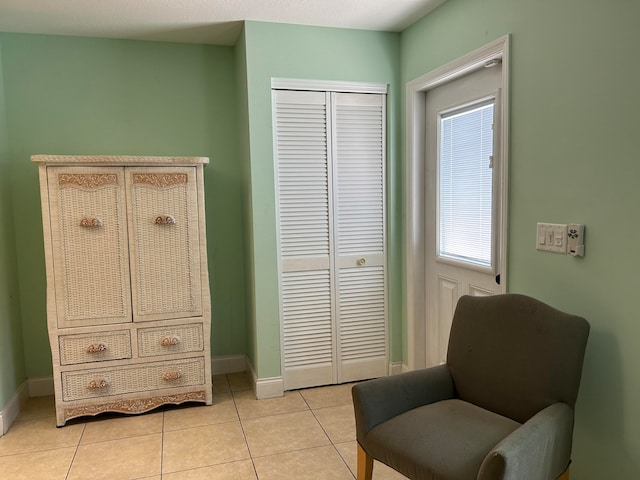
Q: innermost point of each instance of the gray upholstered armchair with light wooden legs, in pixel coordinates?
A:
(500, 408)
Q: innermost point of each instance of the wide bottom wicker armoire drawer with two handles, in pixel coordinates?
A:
(131, 379)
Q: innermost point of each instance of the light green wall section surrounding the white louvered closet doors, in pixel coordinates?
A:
(292, 51)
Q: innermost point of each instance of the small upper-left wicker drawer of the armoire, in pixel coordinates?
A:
(94, 347)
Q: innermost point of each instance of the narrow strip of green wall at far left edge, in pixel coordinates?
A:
(12, 369)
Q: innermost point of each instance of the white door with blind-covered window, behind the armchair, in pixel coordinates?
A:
(463, 199)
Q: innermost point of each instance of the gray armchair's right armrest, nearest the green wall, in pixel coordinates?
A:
(538, 450)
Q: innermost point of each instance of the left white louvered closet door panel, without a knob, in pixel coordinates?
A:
(305, 239)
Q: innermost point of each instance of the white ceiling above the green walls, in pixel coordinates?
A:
(216, 22)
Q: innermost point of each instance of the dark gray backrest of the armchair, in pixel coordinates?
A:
(515, 355)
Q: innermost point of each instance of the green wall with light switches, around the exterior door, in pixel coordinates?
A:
(574, 158)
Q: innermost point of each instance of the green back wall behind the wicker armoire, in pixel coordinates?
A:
(69, 95)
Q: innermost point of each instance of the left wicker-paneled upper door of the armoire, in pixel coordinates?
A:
(89, 243)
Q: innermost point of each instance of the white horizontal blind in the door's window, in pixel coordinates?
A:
(465, 184)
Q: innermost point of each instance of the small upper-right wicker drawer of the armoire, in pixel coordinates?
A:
(169, 340)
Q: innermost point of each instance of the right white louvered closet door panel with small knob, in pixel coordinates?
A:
(359, 186)
